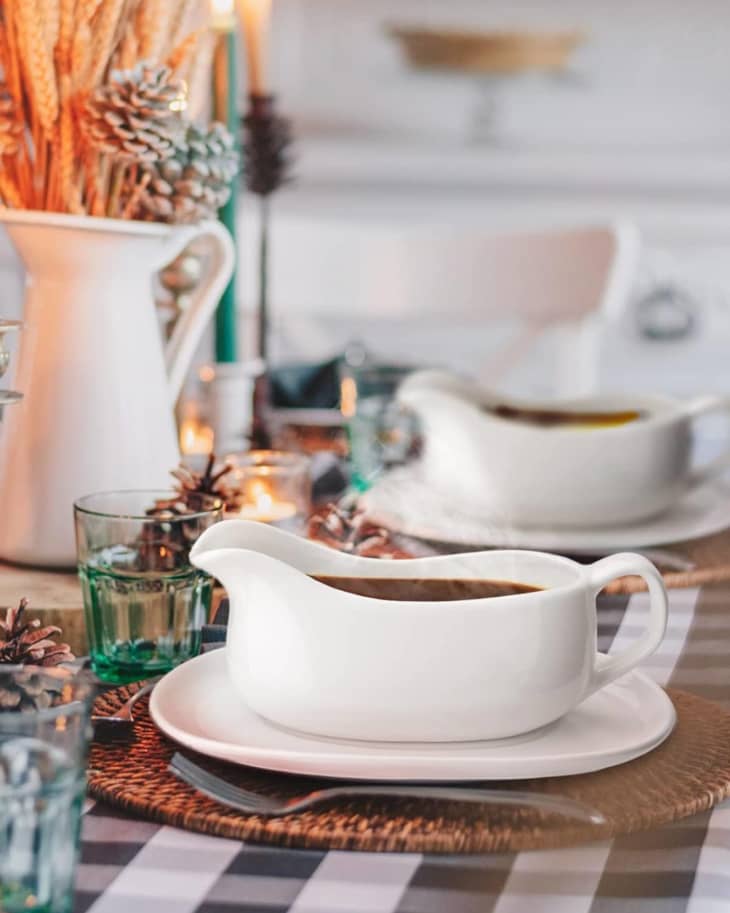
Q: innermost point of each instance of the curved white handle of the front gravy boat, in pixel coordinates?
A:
(608, 668)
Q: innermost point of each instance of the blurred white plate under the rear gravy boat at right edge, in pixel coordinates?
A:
(402, 502)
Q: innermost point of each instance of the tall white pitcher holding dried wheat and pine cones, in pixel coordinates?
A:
(99, 387)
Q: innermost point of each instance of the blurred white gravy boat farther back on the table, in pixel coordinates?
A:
(522, 474)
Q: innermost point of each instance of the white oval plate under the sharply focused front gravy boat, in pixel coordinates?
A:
(196, 706)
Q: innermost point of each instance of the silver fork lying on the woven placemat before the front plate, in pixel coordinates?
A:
(244, 800)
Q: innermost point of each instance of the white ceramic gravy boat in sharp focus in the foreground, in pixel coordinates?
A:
(313, 658)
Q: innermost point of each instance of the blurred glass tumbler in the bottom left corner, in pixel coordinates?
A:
(44, 734)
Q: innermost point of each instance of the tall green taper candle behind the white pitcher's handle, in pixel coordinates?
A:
(226, 111)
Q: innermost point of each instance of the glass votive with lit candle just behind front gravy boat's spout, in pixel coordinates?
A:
(273, 486)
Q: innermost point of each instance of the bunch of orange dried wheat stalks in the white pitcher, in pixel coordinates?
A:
(53, 54)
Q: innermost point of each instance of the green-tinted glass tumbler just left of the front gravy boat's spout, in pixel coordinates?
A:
(145, 604)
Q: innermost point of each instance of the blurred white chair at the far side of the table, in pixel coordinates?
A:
(330, 276)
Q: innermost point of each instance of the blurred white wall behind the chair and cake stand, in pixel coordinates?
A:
(639, 129)
